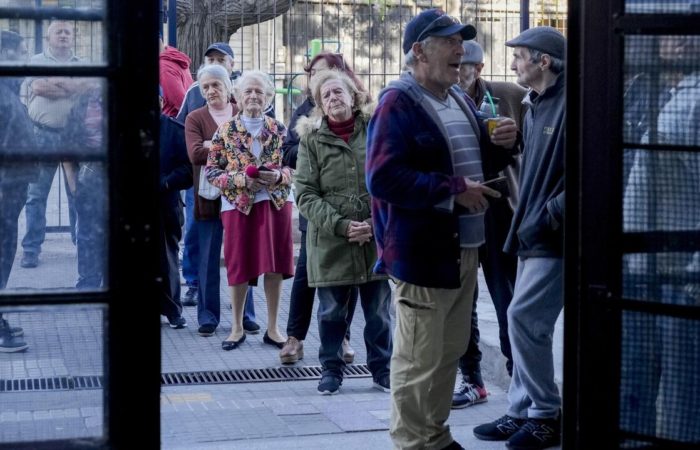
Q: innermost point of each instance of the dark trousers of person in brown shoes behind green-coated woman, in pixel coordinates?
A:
(301, 303)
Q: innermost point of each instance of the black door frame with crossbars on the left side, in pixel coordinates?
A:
(132, 340)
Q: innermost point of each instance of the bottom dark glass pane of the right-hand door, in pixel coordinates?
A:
(660, 375)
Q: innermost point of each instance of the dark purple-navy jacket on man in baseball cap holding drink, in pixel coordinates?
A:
(410, 177)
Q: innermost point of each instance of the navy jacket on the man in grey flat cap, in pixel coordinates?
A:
(537, 227)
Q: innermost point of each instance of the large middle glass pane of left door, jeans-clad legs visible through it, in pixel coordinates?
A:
(64, 191)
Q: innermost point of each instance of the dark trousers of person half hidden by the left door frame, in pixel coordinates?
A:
(171, 306)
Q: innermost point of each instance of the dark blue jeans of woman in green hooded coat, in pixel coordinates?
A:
(334, 301)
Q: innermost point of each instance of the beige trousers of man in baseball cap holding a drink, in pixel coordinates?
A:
(431, 334)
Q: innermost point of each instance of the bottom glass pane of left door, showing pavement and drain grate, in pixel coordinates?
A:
(51, 375)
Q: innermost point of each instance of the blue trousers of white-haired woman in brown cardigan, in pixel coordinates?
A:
(210, 235)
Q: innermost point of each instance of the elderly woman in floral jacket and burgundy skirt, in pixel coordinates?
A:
(245, 162)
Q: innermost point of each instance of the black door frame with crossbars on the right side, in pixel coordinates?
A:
(594, 241)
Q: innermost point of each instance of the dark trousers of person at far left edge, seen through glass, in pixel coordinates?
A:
(12, 198)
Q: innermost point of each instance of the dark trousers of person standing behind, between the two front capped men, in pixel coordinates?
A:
(499, 272)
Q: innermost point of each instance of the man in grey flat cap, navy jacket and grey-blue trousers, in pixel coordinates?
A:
(533, 419)
